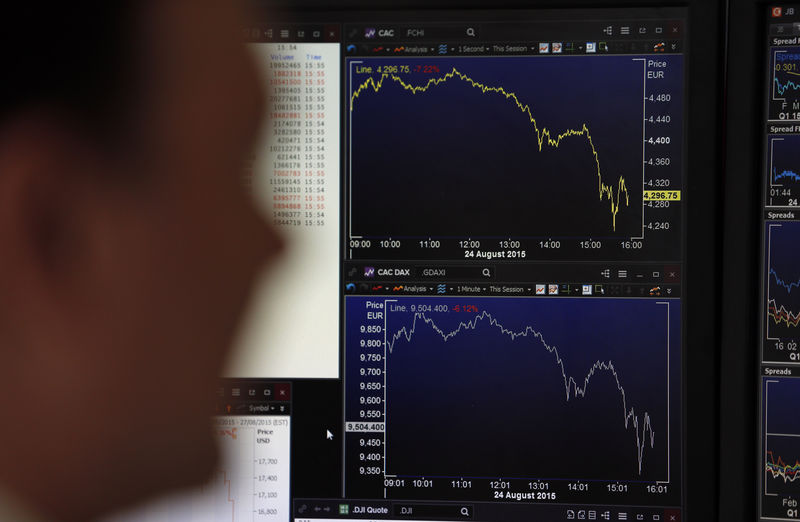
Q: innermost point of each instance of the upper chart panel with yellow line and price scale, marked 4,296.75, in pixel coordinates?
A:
(492, 163)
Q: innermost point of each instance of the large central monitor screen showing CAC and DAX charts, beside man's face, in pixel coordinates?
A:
(480, 313)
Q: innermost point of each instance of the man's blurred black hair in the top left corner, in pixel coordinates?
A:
(71, 56)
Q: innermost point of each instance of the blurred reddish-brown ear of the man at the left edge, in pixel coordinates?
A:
(44, 168)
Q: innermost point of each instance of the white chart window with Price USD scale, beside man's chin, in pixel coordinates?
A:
(251, 481)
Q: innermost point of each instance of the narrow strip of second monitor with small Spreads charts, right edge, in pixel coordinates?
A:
(779, 380)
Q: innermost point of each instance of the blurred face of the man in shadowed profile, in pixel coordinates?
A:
(127, 268)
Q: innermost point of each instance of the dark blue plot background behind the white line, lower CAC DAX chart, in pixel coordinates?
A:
(481, 405)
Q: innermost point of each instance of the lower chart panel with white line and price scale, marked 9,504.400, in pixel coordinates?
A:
(602, 372)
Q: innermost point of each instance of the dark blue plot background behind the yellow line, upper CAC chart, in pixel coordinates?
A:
(453, 161)
